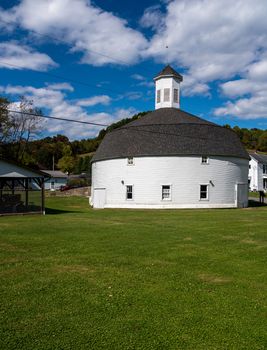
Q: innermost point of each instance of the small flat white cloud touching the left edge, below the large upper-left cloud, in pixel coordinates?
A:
(16, 56)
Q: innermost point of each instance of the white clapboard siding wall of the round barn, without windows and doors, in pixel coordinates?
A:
(183, 173)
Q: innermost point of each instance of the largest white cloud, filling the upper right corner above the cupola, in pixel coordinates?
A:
(212, 40)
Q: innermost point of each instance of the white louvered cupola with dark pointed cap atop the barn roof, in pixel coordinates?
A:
(167, 84)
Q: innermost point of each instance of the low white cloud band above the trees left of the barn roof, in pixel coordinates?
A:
(55, 102)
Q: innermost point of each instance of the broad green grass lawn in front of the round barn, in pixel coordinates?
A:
(79, 278)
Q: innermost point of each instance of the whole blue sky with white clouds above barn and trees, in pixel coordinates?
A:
(95, 60)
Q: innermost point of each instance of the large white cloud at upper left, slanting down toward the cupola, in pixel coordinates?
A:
(86, 28)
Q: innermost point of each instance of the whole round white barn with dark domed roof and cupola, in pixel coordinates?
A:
(170, 159)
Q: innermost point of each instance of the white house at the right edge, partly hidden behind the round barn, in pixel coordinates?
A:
(257, 175)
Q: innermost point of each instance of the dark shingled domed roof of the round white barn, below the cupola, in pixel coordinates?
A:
(170, 132)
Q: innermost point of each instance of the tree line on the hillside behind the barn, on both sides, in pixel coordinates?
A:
(20, 140)
